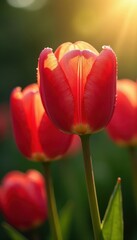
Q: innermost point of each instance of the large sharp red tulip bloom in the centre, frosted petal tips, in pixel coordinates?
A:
(78, 86)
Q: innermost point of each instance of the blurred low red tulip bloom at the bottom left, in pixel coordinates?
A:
(23, 199)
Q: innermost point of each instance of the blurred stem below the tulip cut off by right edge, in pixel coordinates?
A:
(134, 171)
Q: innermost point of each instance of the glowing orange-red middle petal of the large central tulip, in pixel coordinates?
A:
(77, 65)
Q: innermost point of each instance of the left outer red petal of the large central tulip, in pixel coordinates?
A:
(55, 91)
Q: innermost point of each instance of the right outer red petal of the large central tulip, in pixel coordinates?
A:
(100, 90)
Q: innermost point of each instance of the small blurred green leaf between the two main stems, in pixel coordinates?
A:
(66, 219)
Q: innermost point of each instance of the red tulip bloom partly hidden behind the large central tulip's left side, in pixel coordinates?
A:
(36, 136)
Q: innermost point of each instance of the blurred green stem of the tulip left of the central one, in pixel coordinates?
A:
(52, 209)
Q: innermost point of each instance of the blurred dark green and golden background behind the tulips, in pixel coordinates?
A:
(26, 27)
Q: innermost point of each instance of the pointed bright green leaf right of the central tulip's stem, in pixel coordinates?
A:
(112, 224)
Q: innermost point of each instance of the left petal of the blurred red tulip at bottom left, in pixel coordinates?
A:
(16, 197)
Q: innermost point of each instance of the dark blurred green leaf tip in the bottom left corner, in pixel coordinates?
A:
(13, 233)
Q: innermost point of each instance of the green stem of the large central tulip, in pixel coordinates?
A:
(91, 189)
